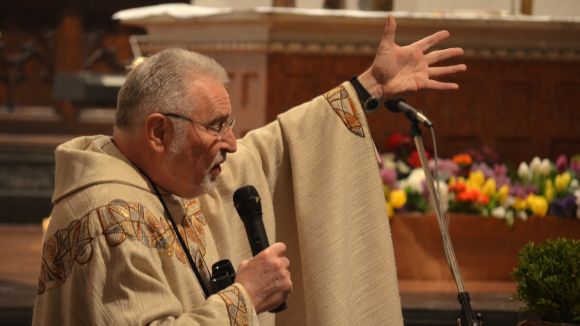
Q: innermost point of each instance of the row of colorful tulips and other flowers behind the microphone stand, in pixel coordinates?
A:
(476, 183)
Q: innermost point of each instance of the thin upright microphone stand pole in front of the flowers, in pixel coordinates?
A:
(467, 317)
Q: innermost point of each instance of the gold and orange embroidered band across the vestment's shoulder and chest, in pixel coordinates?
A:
(119, 221)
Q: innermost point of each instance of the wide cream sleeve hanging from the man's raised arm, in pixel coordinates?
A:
(316, 168)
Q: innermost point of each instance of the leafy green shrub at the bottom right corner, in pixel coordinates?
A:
(548, 280)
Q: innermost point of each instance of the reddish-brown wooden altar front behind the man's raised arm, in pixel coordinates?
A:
(517, 108)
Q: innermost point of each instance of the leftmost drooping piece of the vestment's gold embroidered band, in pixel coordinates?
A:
(61, 251)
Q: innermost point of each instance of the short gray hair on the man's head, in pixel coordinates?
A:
(162, 83)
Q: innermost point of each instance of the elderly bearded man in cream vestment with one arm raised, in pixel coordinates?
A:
(139, 217)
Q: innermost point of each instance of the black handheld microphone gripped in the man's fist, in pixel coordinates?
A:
(249, 207)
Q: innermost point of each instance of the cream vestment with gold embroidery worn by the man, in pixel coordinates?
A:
(111, 258)
